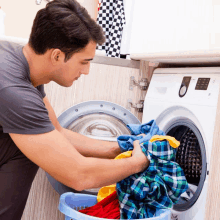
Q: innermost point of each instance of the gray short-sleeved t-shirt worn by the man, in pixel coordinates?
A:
(22, 109)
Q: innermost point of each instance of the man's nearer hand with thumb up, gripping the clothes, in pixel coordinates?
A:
(142, 160)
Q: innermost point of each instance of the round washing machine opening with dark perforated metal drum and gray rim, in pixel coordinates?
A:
(191, 156)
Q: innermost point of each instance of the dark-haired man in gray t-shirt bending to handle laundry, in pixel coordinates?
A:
(61, 45)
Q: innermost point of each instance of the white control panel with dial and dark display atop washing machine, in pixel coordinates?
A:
(196, 86)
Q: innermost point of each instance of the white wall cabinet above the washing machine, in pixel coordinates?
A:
(171, 28)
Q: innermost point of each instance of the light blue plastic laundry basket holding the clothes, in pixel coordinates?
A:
(70, 203)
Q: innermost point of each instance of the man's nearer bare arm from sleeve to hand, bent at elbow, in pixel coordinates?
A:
(55, 154)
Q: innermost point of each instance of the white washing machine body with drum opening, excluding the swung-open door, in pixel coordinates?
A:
(183, 101)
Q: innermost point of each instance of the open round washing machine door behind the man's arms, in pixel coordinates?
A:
(95, 119)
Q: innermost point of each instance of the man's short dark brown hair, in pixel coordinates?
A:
(65, 25)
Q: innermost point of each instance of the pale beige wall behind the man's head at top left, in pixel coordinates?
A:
(20, 15)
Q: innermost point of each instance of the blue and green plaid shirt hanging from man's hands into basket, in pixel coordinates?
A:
(159, 186)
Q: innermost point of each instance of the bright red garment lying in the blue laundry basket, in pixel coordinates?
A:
(107, 208)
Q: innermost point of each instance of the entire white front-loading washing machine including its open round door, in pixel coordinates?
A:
(183, 101)
